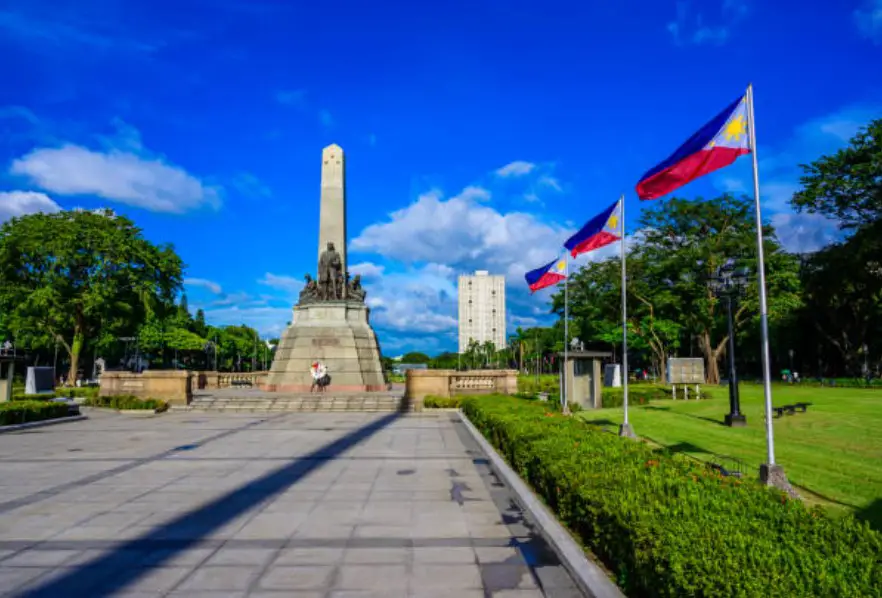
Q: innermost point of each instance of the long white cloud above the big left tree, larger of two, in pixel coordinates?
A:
(124, 173)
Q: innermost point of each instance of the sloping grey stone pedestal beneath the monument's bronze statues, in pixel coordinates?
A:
(336, 333)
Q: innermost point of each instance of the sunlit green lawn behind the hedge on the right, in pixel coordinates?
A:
(834, 450)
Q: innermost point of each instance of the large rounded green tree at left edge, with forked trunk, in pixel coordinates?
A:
(79, 276)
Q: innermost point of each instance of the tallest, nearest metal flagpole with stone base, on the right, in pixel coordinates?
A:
(770, 472)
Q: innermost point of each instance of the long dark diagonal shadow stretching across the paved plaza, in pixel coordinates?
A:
(113, 572)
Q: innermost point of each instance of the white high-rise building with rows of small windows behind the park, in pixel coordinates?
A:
(481, 309)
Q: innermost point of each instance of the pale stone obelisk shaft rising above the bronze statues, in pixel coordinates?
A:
(332, 216)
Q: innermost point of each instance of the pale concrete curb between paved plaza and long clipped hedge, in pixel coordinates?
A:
(590, 577)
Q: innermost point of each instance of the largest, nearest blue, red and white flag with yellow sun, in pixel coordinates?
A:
(719, 143)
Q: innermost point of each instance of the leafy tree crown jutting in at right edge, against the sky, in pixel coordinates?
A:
(848, 184)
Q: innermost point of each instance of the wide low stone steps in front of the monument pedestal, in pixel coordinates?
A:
(370, 402)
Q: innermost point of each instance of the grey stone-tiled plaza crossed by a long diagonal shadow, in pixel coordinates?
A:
(292, 504)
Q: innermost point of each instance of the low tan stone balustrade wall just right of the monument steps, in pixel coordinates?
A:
(447, 383)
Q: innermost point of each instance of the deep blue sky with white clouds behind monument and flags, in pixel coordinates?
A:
(478, 135)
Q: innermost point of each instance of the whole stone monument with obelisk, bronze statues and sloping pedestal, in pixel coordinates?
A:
(331, 321)
